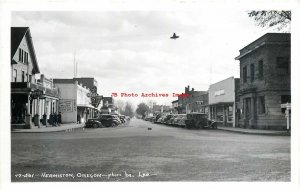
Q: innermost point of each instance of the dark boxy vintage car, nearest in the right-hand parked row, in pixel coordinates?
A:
(199, 121)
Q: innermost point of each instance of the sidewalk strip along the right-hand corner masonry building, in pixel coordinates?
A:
(254, 131)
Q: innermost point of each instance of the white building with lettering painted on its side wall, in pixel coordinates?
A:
(75, 104)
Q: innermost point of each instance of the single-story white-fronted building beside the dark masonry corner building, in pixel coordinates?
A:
(222, 105)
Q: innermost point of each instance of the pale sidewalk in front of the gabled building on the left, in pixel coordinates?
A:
(62, 127)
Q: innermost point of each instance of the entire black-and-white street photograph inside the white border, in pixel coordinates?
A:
(135, 96)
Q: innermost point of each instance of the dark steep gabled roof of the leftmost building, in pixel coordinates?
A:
(17, 34)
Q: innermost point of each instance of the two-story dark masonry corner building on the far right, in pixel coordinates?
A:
(265, 72)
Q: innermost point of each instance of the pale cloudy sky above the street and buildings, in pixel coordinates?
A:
(131, 51)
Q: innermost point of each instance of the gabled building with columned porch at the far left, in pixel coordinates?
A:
(30, 98)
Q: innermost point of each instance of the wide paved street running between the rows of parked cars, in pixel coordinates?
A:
(134, 153)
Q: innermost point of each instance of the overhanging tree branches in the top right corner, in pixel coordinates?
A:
(279, 19)
